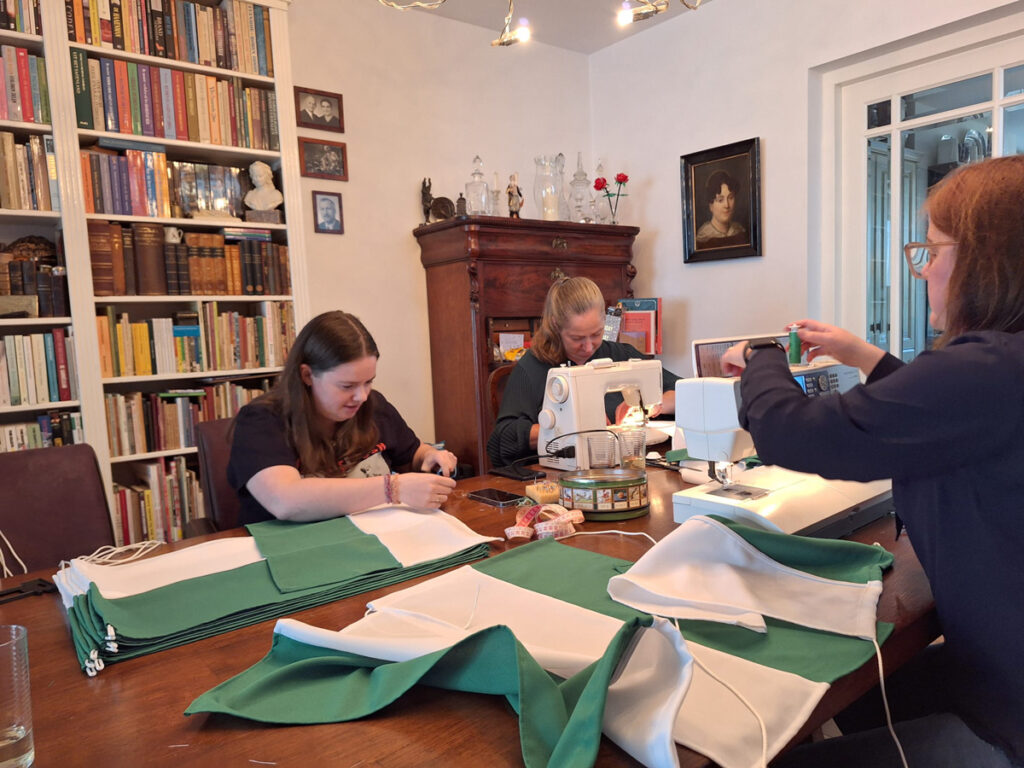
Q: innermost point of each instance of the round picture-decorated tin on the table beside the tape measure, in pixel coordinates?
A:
(606, 494)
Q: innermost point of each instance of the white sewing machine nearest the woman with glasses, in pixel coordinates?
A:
(769, 497)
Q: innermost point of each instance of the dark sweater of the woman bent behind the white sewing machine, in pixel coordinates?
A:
(524, 398)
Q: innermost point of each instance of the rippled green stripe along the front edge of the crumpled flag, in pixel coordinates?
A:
(296, 684)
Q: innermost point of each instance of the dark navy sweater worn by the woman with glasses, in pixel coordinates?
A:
(949, 430)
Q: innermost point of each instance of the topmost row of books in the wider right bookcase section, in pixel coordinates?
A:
(234, 36)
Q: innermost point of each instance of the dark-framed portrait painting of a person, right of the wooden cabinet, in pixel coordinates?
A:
(722, 202)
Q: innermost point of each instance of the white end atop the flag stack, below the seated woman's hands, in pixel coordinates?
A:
(418, 536)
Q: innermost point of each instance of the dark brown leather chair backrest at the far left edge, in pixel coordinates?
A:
(53, 506)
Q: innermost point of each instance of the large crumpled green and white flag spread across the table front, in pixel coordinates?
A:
(489, 628)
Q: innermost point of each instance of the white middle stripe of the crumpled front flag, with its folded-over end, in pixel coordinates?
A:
(643, 702)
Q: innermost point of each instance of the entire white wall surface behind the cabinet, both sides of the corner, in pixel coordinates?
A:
(423, 95)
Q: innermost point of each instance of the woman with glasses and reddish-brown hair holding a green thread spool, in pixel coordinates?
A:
(949, 430)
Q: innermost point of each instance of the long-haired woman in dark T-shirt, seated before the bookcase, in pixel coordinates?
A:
(323, 443)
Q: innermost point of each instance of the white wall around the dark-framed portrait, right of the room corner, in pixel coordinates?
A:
(730, 72)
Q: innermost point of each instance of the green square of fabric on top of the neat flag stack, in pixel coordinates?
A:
(303, 556)
